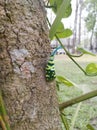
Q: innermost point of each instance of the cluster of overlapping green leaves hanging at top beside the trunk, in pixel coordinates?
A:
(62, 9)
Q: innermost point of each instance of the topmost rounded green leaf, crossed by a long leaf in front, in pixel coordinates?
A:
(56, 6)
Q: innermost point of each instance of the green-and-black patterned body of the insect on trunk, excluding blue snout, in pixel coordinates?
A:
(50, 69)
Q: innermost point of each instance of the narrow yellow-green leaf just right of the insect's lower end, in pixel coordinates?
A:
(64, 81)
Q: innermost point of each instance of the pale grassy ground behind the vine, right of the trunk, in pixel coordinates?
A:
(88, 110)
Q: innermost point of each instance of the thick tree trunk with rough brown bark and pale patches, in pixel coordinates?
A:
(31, 102)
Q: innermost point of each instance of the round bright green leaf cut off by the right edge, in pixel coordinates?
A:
(91, 68)
